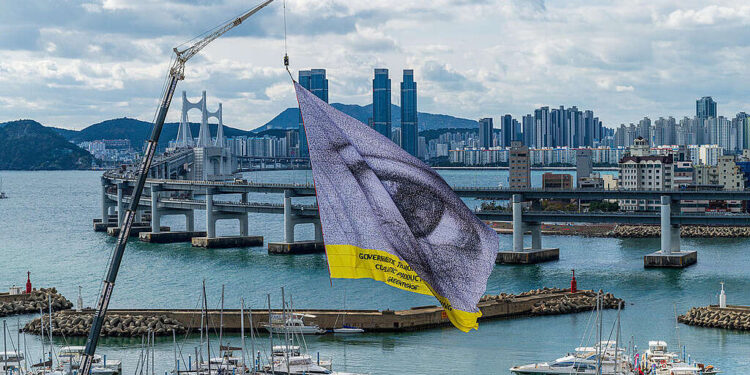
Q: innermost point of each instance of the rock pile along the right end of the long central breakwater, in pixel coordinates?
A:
(583, 300)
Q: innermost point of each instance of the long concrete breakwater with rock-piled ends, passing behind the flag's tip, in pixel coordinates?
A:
(125, 323)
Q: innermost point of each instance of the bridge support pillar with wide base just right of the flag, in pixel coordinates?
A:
(519, 254)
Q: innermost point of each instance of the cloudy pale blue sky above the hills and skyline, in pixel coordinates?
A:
(71, 64)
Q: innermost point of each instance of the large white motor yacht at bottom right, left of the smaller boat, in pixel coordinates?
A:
(583, 361)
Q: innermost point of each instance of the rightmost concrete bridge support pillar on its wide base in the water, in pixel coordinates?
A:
(670, 254)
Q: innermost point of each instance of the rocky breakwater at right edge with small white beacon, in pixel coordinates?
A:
(730, 317)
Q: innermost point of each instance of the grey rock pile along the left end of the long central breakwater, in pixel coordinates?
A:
(66, 324)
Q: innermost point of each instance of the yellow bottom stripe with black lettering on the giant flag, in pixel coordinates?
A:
(352, 262)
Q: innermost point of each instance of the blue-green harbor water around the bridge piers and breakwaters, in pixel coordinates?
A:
(46, 228)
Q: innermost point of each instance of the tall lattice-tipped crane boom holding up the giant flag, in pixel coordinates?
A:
(176, 74)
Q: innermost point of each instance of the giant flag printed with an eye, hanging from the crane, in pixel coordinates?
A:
(388, 216)
